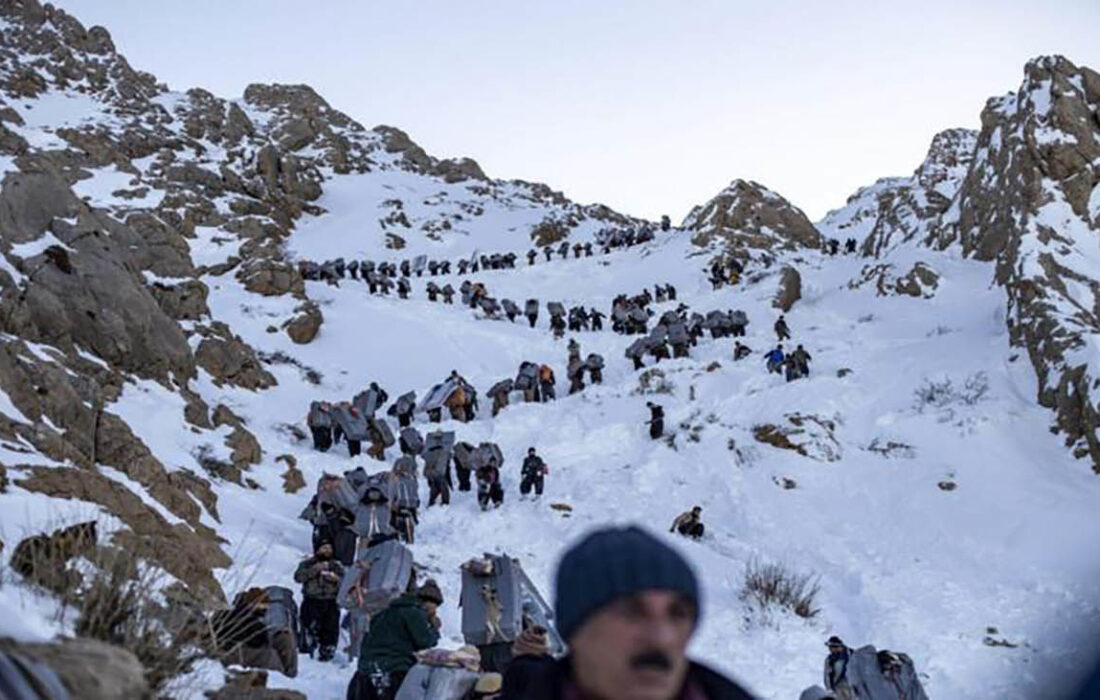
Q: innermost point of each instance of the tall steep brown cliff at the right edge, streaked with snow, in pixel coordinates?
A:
(1031, 204)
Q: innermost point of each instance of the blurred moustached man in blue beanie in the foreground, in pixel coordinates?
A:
(629, 605)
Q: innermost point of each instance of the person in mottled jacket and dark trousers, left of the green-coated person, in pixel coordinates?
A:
(321, 577)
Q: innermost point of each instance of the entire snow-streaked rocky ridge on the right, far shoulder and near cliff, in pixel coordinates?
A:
(1024, 195)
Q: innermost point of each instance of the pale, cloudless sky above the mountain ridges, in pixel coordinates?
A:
(651, 106)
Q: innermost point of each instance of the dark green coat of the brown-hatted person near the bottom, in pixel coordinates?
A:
(397, 635)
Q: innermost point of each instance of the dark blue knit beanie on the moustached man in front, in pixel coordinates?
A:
(618, 563)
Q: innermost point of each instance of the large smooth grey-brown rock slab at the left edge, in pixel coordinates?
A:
(78, 283)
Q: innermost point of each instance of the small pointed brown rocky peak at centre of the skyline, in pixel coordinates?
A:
(749, 215)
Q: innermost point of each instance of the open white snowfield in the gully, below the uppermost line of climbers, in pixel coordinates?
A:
(904, 565)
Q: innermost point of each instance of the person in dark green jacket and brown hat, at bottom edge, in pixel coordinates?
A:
(409, 626)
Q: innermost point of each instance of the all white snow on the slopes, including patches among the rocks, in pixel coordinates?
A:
(903, 564)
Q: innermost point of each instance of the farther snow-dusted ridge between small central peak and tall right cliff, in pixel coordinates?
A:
(896, 211)
